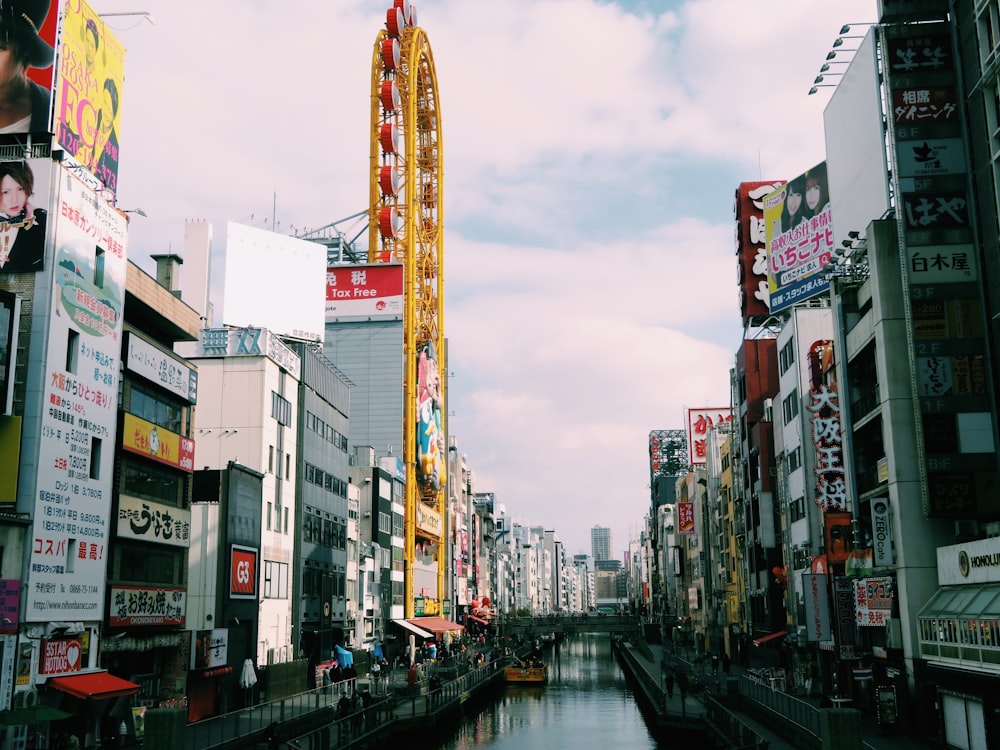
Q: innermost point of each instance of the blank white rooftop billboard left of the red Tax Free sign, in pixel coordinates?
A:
(273, 281)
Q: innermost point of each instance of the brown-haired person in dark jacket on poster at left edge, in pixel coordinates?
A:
(22, 226)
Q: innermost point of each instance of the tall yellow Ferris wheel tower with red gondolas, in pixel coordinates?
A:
(406, 226)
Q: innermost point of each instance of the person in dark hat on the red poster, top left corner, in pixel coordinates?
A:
(24, 105)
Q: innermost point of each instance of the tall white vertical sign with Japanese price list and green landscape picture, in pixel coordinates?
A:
(66, 573)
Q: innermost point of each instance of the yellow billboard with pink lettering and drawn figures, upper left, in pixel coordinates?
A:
(88, 92)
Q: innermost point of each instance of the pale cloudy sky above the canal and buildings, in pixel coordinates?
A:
(592, 151)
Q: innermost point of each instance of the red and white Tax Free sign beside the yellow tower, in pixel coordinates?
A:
(367, 292)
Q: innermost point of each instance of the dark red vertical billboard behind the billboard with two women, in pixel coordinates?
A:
(751, 248)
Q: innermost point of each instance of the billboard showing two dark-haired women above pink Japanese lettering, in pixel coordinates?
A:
(799, 227)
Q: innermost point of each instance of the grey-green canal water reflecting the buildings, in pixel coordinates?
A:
(586, 704)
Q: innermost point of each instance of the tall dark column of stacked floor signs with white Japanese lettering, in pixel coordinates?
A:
(953, 409)
